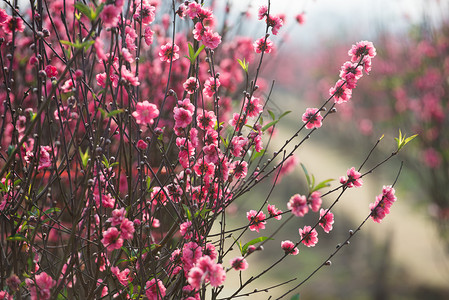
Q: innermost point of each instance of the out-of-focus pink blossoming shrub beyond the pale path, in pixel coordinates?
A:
(410, 87)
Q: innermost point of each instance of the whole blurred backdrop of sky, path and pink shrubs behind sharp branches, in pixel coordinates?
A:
(407, 255)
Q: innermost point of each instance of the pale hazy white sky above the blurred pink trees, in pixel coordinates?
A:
(351, 19)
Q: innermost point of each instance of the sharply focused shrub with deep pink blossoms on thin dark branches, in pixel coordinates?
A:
(126, 134)
